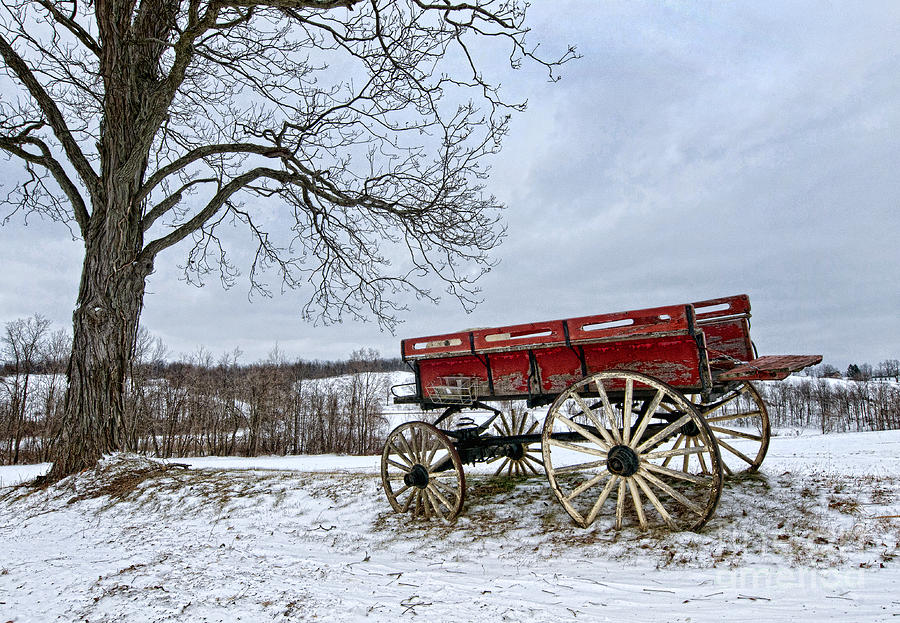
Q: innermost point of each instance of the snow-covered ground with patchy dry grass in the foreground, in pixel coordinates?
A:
(814, 537)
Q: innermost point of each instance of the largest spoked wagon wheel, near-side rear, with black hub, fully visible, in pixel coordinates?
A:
(612, 455)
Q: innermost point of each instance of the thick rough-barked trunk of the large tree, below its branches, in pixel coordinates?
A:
(105, 327)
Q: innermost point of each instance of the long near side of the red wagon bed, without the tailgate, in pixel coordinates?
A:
(539, 360)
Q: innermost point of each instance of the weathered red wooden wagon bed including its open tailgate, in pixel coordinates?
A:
(690, 347)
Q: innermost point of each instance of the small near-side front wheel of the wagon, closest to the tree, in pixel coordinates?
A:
(421, 472)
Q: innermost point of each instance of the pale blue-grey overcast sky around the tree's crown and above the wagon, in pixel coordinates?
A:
(695, 150)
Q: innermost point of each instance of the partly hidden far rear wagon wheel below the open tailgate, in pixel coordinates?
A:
(740, 422)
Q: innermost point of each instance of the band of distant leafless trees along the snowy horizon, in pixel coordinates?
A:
(218, 406)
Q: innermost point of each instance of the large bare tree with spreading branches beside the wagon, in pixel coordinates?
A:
(141, 124)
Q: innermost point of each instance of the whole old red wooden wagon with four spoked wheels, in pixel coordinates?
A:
(648, 411)
